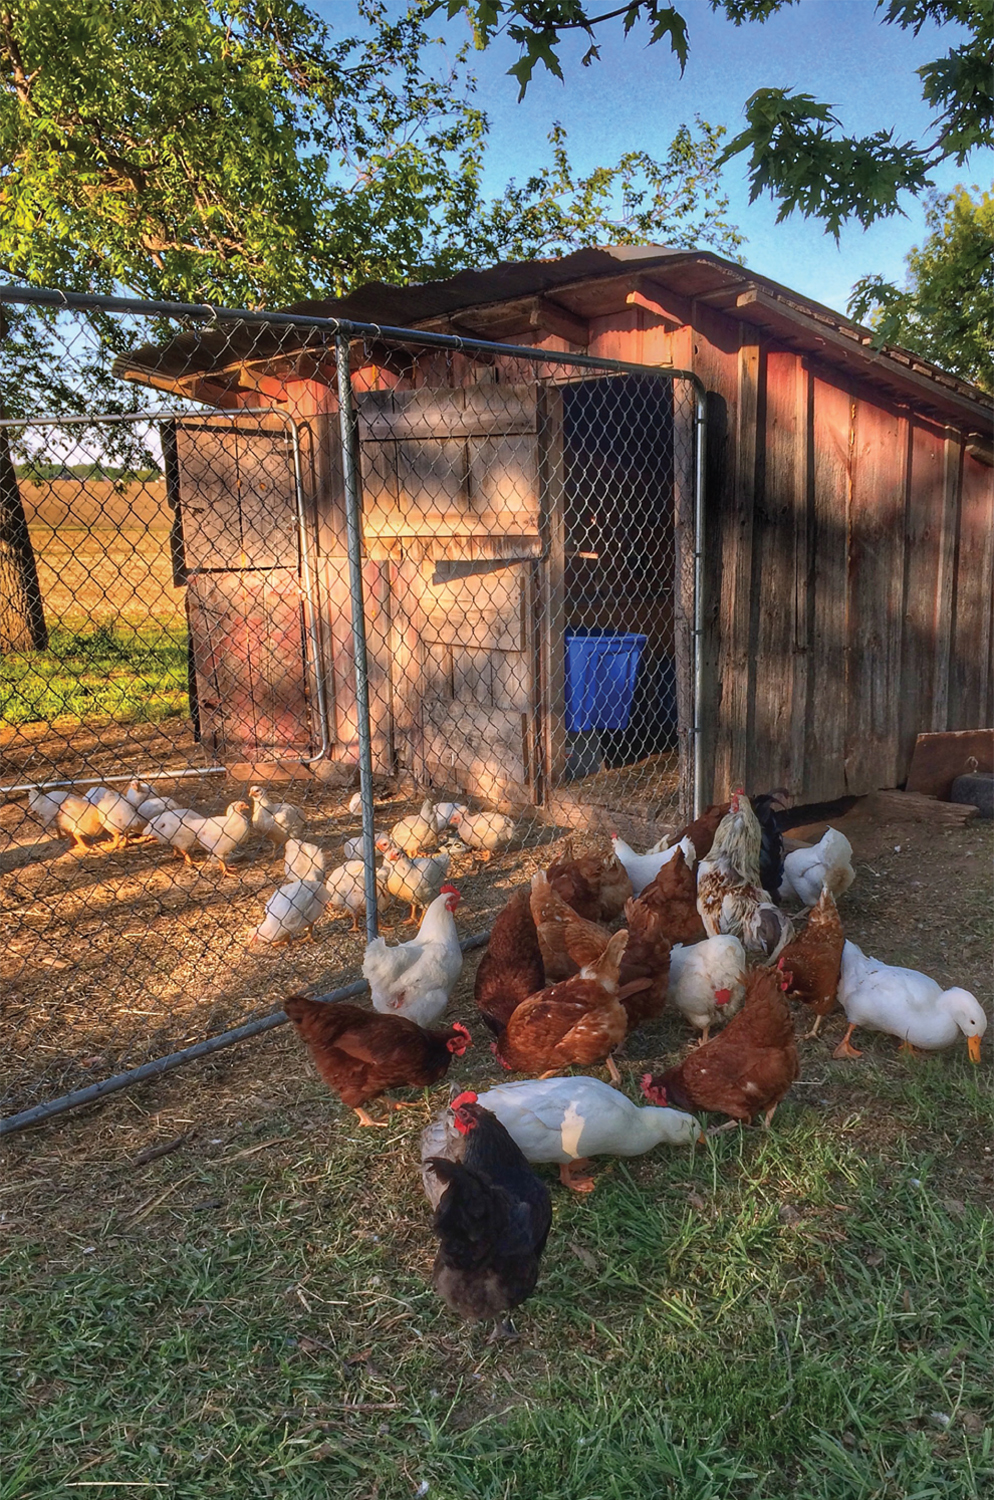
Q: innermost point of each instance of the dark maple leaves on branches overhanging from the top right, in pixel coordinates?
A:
(798, 152)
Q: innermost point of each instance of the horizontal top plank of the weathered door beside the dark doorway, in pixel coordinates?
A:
(430, 413)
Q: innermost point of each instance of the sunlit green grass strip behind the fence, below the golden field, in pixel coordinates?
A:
(121, 673)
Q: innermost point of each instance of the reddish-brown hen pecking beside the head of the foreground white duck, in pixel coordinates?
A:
(747, 1069)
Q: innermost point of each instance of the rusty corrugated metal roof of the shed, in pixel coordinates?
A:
(689, 274)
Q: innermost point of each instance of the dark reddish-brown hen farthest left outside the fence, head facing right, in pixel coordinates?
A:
(362, 1054)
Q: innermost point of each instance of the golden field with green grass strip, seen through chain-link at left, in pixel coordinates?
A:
(118, 629)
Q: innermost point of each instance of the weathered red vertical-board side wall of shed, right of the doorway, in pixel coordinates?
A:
(854, 541)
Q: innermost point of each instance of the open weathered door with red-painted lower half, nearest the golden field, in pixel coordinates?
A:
(236, 547)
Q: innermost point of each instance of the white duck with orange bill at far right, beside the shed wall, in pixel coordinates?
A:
(906, 1004)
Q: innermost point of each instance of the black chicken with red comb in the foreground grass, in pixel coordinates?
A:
(493, 1214)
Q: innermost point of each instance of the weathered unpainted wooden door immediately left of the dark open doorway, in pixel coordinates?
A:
(452, 499)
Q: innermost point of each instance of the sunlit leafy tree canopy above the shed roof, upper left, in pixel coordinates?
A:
(241, 152)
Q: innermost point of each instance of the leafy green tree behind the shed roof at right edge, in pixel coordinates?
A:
(945, 310)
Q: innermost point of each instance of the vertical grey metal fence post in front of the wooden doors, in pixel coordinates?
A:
(355, 535)
